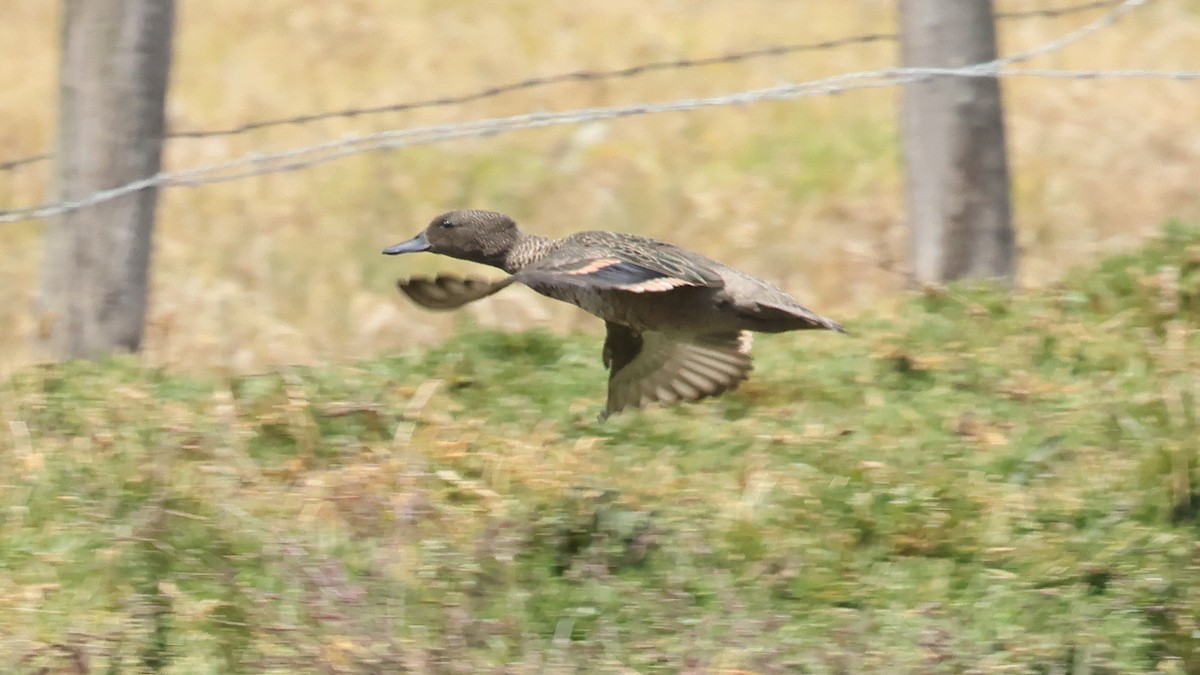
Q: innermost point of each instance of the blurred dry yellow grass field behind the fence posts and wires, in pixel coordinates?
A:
(285, 268)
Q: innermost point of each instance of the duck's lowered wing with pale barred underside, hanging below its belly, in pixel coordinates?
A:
(657, 368)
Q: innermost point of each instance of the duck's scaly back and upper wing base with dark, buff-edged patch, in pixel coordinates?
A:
(621, 262)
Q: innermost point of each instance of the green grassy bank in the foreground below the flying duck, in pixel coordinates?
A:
(982, 482)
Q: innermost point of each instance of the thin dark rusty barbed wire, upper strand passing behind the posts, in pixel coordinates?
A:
(573, 76)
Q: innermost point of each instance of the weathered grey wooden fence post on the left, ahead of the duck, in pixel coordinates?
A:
(115, 71)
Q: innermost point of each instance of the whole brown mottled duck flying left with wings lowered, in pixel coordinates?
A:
(677, 322)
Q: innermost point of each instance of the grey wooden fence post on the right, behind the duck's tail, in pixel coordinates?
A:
(953, 136)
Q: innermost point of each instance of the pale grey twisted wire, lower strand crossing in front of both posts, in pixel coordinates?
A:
(310, 156)
